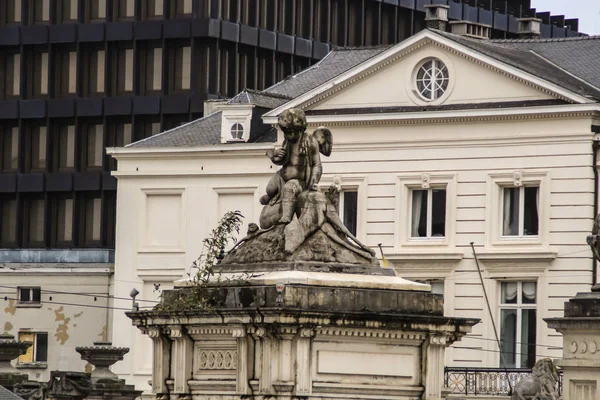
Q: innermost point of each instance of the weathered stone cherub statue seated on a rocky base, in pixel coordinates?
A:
(298, 221)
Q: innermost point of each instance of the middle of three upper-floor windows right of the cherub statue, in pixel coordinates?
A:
(428, 213)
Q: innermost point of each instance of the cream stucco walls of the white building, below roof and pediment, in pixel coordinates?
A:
(379, 161)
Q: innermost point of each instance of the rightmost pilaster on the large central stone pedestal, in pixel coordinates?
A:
(433, 367)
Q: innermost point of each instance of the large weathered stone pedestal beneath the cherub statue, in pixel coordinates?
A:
(296, 333)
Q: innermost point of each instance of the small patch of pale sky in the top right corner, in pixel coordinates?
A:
(588, 12)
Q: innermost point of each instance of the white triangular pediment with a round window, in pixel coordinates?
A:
(389, 80)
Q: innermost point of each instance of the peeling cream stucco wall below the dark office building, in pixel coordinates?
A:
(73, 310)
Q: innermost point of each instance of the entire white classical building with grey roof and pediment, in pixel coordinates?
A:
(439, 142)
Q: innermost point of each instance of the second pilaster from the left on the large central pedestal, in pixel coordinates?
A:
(183, 353)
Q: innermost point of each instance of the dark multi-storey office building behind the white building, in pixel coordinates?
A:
(77, 76)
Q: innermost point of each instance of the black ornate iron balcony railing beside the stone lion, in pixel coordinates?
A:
(486, 381)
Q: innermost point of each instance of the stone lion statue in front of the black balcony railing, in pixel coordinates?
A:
(541, 385)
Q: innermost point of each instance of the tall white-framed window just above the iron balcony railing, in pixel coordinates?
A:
(518, 324)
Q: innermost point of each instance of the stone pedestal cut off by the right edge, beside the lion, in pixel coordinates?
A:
(580, 363)
